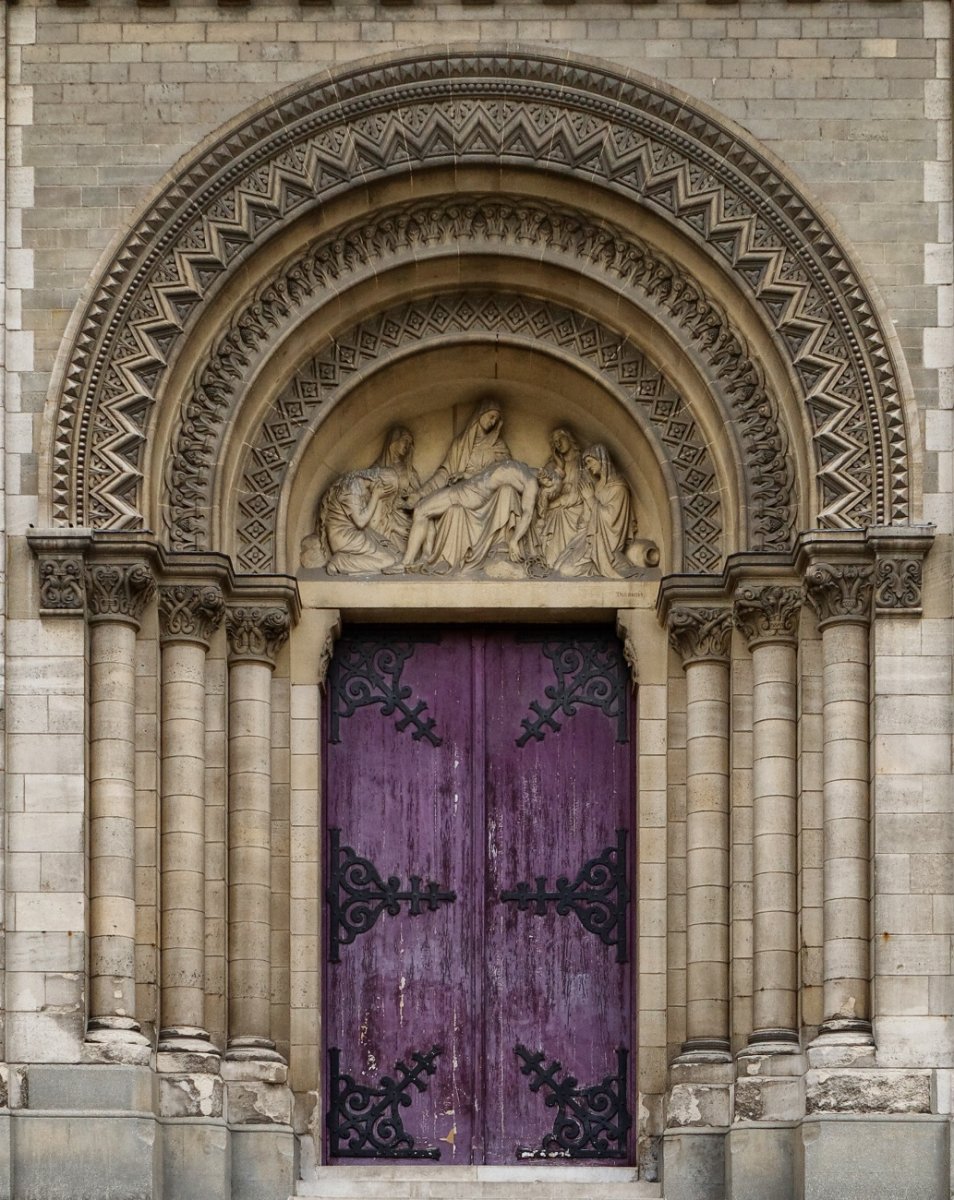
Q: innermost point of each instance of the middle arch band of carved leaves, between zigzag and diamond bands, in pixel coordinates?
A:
(476, 225)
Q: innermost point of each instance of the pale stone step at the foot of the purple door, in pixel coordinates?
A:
(476, 1184)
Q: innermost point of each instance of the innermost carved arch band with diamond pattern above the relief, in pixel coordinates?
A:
(489, 314)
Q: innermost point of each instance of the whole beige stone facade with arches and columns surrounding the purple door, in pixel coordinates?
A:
(242, 244)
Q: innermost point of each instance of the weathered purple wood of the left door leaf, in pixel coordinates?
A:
(401, 802)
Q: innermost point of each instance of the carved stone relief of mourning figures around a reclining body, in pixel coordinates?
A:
(482, 512)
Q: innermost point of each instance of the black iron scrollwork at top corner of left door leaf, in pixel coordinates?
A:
(368, 671)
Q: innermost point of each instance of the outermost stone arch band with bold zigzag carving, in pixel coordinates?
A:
(617, 133)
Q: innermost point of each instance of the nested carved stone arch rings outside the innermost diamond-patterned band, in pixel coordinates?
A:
(657, 225)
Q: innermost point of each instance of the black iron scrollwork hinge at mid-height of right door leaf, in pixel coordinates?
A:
(598, 897)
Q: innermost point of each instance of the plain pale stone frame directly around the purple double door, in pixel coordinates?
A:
(647, 655)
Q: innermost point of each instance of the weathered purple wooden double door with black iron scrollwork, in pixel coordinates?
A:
(478, 909)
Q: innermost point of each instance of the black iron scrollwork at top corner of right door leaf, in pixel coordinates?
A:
(590, 671)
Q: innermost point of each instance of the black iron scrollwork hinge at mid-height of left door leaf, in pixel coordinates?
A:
(358, 896)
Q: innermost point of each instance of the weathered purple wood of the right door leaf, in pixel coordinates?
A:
(553, 987)
